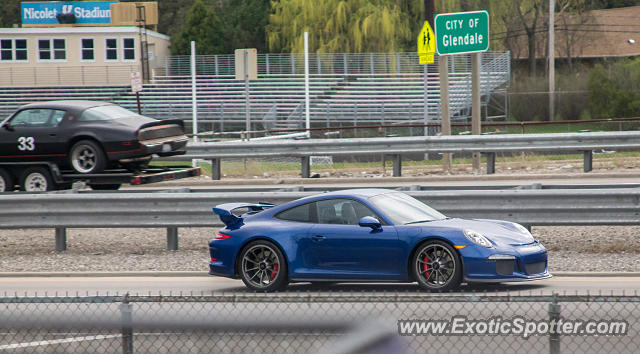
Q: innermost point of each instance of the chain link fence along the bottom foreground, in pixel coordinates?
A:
(320, 323)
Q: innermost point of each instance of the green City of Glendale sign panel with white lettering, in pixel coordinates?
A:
(462, 32)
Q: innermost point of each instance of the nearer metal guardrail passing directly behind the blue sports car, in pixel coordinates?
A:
(174, 210)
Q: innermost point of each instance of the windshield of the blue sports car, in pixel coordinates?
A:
(403, 209)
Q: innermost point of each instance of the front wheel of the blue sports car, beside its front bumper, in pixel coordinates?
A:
(437, 266)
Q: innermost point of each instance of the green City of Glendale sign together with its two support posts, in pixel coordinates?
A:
(462, 33)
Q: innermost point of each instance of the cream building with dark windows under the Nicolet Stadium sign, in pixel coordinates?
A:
(76, 54)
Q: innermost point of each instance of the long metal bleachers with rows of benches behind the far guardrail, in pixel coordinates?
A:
(345, 89)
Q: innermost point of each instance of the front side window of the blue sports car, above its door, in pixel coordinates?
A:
(342, 211)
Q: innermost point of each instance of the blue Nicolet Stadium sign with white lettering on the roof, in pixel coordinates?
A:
(65, 12)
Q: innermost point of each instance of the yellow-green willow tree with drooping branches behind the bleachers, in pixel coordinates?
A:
(343, 25)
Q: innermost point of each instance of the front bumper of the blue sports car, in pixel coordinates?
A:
(514, 263)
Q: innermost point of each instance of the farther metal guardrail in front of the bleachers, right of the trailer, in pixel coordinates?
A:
(396, 146)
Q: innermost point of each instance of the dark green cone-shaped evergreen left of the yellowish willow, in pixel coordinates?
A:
(202, 25)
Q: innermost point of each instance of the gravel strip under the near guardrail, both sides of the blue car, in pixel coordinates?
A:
(582, 249)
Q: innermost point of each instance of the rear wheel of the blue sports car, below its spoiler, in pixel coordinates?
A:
(262, 267)
